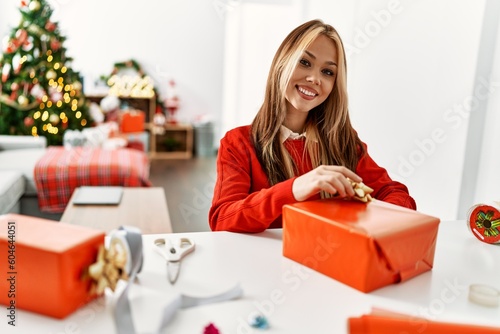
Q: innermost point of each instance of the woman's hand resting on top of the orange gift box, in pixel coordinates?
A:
(331, 179)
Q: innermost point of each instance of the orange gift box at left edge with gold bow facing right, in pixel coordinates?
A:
(45, 263)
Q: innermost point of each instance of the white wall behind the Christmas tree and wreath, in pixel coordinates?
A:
(182, 40)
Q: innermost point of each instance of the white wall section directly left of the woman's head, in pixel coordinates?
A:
(254, 30)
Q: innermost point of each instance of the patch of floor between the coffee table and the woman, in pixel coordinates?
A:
(189, 186)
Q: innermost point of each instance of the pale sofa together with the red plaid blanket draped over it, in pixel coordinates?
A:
(107, 165)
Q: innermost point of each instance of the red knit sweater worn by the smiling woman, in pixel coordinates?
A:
(243, 200)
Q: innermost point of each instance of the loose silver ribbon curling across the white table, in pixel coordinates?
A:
(123, 312)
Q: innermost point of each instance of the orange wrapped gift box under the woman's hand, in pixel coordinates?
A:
(364, 245)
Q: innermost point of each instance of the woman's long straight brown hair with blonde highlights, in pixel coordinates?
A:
(331, 139)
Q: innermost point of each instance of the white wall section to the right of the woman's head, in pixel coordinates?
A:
(405, 86)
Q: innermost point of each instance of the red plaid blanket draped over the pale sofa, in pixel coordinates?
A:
(60, 171)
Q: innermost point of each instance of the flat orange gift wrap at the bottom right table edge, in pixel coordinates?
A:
(394, 323)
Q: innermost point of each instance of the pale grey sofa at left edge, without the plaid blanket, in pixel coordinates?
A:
(18, 157)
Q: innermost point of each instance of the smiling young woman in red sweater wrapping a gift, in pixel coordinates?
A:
(301, 144)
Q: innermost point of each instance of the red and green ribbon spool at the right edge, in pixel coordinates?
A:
(483, 221)
